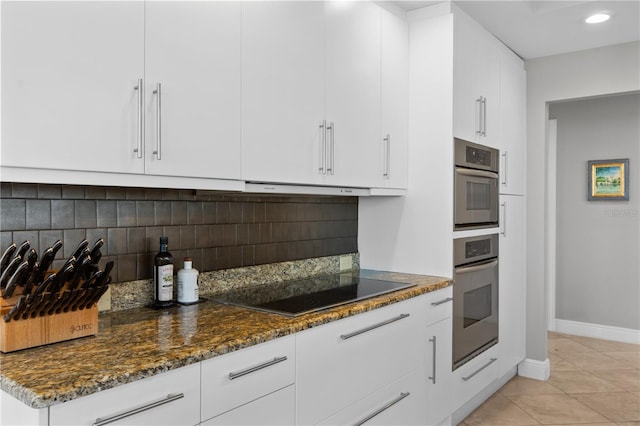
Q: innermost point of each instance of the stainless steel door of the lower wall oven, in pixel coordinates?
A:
(475, 310)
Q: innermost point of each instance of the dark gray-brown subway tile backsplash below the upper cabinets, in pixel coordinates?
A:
(218, 230)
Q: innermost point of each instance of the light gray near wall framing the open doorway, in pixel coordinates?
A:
(594, 72)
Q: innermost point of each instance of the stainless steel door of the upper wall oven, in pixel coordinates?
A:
(476, 198)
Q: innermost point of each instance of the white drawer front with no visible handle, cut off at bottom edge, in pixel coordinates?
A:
(275, 409)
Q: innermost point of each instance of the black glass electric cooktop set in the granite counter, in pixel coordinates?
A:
(298, 297)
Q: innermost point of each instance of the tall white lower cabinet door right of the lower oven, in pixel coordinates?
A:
(512, 282)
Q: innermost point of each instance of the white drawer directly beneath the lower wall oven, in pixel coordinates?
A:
(474, 376)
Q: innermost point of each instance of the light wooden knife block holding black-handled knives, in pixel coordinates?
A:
(43, 330)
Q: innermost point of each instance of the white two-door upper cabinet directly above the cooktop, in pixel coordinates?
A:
(311, 93)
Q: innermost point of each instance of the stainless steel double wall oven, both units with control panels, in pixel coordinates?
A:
(475, 293)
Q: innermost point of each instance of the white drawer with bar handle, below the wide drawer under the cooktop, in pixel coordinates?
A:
(399, 403)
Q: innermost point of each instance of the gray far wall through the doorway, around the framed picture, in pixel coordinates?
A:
(597, 249)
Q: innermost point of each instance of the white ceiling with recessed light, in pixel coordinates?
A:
(535, 28)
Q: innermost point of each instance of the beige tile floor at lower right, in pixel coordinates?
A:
(593, 383)
